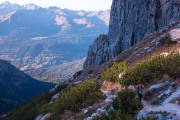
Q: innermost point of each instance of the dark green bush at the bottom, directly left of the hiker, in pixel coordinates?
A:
(126, 106)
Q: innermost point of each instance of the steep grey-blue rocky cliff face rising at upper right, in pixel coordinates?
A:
(130, 22)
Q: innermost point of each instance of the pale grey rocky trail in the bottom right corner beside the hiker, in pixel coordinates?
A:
(164, 111)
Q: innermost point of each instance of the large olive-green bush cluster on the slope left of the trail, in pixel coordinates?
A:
(76, 97)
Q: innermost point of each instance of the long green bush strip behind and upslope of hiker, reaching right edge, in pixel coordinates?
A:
(152, 69)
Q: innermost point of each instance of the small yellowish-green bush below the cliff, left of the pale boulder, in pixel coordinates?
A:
(112, 73)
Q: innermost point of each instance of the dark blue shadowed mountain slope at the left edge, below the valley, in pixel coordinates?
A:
(16, 86)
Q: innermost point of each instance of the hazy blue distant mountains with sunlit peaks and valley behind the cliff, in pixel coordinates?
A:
(36, 38)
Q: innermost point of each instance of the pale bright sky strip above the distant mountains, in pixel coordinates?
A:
(70, 4)
